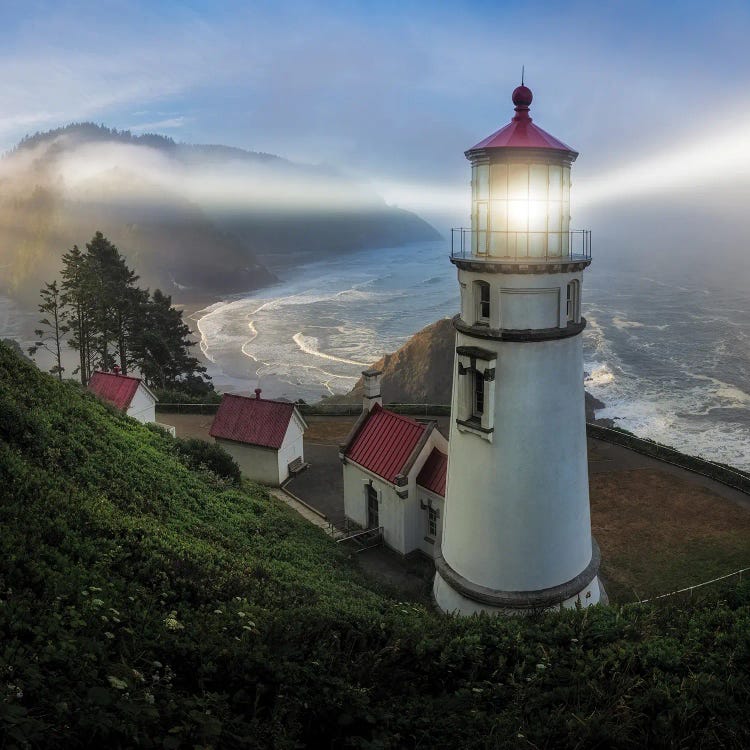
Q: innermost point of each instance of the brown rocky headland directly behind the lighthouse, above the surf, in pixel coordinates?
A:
(421, 371)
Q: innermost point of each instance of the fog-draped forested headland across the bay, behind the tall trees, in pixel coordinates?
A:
(194, 220)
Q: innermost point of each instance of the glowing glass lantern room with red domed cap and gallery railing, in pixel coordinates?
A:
(520, 195)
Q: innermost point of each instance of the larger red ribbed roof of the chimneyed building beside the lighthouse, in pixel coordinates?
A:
(384, 442)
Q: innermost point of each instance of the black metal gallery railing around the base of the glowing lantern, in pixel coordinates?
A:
(525, 247)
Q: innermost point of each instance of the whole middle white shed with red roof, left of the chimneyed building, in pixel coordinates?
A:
(265, 437)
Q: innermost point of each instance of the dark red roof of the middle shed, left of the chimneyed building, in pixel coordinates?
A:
(254, 421)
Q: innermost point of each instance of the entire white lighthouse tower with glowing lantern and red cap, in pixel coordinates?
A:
(517, 528)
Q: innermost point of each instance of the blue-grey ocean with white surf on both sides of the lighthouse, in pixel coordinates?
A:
(665, 349)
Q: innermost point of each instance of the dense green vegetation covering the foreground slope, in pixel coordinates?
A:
(143, 603)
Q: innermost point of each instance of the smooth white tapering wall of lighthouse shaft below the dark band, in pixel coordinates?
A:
(521, 519)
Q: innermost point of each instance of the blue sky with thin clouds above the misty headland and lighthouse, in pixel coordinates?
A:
(391, 91)
